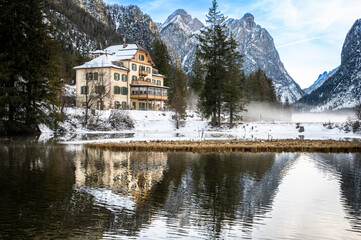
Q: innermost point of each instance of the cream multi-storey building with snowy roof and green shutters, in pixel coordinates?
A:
(121, 77)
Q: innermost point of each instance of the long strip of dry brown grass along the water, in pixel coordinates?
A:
(321, 146)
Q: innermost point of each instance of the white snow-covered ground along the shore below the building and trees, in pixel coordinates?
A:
(156, 125)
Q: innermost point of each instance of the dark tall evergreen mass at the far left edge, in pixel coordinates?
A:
(29, 83)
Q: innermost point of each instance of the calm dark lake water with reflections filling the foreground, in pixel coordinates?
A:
(49, 191)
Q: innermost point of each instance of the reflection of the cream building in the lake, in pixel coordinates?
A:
(127, 173)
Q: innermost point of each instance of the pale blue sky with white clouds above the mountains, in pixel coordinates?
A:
(308, 34)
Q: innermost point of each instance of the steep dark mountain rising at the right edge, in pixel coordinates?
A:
(343, 88)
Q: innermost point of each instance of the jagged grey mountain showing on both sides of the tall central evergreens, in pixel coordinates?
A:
(255, 43)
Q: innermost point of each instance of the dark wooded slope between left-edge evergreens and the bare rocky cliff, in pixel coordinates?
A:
(78, 25)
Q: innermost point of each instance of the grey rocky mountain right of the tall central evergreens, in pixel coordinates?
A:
(259, 51)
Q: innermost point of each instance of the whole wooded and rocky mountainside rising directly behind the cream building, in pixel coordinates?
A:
(86, 25)
